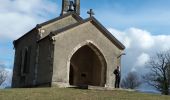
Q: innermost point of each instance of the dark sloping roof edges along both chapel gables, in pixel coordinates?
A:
(80, 21)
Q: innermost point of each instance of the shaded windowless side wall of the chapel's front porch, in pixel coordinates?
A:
(45, 61)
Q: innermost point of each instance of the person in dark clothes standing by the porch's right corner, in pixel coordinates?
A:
(117, 77)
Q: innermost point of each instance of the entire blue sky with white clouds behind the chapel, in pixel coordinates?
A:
(141, 25)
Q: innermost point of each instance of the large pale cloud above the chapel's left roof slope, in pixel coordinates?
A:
(19, 16)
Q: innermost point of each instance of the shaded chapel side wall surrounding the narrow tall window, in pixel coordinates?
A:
(28, 41)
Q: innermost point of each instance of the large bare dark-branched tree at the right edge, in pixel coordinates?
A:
(159, 74)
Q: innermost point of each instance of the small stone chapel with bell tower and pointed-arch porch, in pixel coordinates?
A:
(67, 51)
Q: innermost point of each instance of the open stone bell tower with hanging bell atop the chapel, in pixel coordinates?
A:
(70, 6)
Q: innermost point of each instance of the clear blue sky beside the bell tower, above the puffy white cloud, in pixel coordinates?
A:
(151, 15)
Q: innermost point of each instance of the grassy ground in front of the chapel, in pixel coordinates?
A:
(75, 94)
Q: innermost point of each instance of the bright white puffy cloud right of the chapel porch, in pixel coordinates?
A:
(140, 46)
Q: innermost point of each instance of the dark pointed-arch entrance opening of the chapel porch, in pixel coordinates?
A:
(87, 67)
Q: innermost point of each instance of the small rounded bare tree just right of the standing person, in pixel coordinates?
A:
(131, 81)
